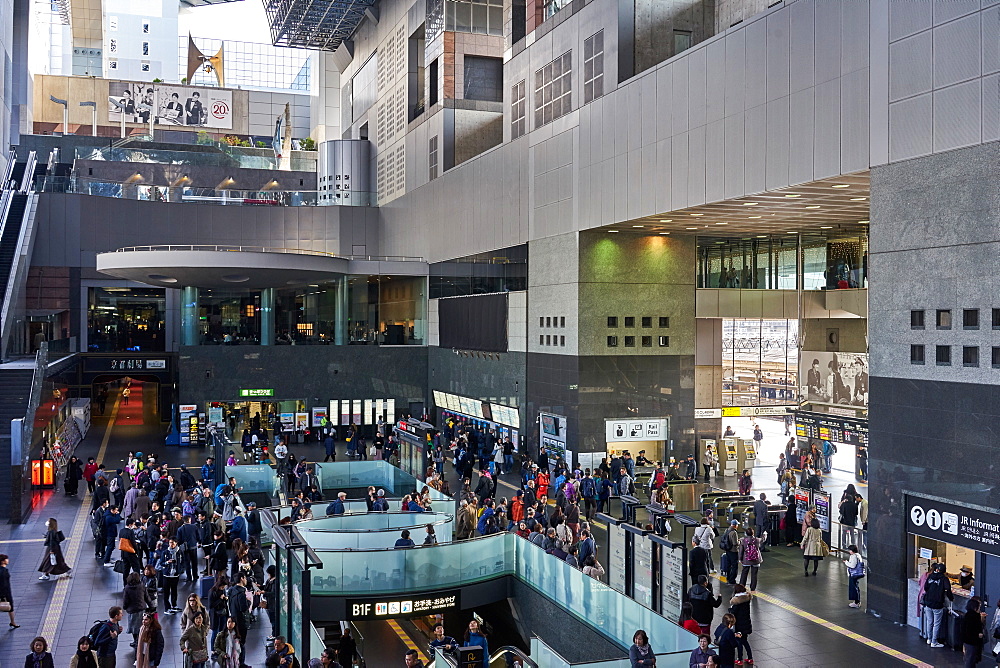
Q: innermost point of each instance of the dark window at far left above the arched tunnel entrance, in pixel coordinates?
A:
(125, 319)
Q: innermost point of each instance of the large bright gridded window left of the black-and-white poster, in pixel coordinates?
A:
(759, 362)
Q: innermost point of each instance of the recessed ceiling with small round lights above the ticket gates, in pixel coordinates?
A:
(824, 207)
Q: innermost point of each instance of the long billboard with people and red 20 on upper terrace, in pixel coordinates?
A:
(172, 105)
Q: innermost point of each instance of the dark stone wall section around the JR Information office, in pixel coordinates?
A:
(929, 437)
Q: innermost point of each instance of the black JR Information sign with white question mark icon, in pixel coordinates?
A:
(966, 527)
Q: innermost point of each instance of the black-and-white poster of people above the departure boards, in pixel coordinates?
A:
(834, 378)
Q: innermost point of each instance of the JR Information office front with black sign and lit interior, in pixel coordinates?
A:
(966, 539)
